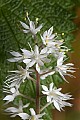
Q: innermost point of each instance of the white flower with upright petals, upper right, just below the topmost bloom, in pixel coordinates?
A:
(48, 37)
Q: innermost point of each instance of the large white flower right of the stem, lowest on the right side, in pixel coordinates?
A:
(56, 97)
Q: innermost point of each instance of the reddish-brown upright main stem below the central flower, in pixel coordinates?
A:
(37, 92)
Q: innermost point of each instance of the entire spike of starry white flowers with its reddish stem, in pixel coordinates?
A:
(35, 61)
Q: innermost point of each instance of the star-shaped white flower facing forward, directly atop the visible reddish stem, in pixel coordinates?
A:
(38, 58)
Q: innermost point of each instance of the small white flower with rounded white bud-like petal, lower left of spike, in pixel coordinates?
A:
(12, 93)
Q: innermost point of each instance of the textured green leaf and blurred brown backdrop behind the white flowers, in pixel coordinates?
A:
(64, 16)
